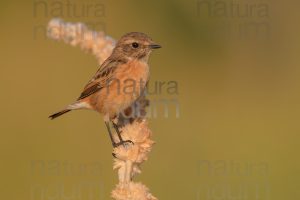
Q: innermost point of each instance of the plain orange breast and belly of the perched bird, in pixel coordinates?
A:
(129, 82)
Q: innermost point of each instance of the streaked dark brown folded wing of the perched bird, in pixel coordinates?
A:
(101, 78)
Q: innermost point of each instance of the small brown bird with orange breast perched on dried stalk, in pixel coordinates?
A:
(126, 69)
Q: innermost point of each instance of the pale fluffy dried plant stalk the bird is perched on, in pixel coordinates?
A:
(129, 158)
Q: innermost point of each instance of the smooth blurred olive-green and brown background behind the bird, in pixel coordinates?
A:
(237, 136)
